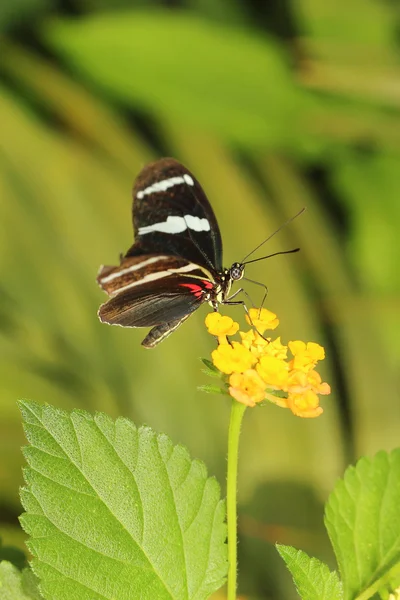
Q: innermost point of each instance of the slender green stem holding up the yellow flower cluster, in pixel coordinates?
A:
(237, 412)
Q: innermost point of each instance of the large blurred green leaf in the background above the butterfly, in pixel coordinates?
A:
(223, 79)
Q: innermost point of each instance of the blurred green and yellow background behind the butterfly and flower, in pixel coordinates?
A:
(274, 106)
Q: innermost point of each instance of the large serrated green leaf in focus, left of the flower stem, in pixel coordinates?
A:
(118, 512)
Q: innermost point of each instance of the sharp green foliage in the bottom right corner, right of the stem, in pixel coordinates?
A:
(362, 518)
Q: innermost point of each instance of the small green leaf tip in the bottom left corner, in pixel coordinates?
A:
(17, 585)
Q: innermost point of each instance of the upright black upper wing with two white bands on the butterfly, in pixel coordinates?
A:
(171, 215)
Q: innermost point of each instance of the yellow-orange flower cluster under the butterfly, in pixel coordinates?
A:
(260, 368)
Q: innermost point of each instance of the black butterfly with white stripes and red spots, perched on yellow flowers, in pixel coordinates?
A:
(175, 264)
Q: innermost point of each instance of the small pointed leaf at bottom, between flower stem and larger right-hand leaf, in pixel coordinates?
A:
(313, 579)
